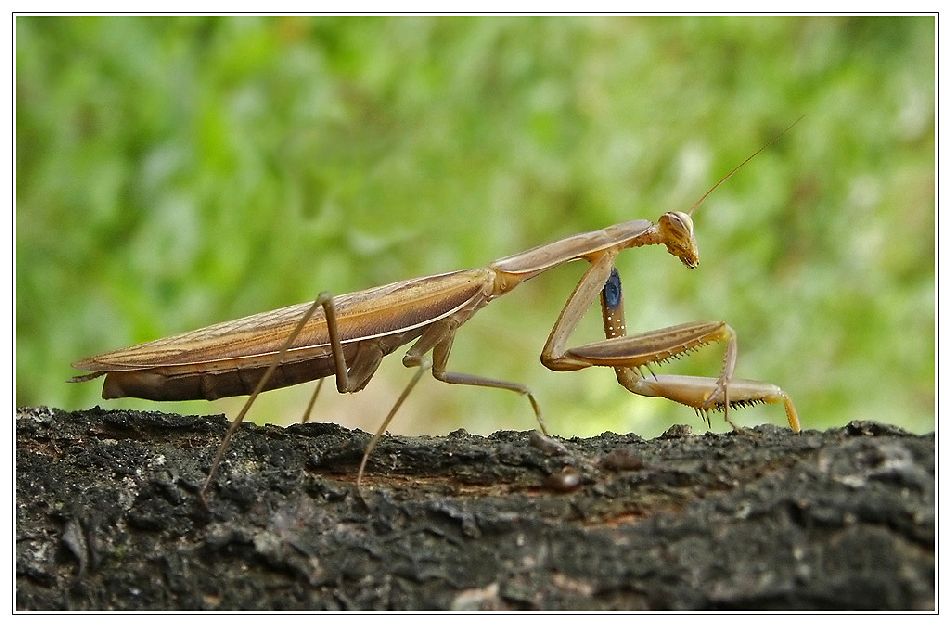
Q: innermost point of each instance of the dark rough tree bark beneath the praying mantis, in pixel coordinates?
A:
(109, 517)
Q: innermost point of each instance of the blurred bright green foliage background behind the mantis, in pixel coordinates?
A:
(173, 172)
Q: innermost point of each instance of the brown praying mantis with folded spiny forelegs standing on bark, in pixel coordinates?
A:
(348, 336)
